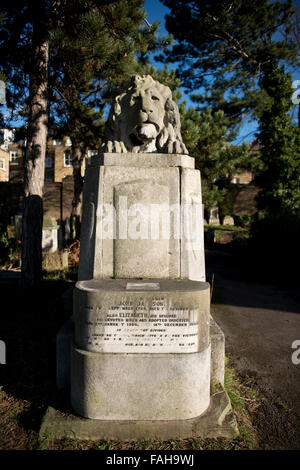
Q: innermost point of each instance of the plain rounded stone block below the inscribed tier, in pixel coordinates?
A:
(140, 386)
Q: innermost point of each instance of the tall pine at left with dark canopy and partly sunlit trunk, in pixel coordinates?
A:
(98, 41)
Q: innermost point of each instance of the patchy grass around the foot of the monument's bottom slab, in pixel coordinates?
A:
(19, 432)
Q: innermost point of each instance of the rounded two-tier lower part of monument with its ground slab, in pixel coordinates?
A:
(165, 393)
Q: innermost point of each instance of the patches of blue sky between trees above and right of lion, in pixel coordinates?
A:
(156, 11)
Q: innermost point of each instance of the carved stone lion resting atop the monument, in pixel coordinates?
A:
(144, 118)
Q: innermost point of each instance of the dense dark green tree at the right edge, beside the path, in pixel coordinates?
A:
(280, 146)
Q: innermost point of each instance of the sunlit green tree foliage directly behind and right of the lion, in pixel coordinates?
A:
(208, 137)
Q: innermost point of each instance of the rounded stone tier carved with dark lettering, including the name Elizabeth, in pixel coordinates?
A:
(173, 318)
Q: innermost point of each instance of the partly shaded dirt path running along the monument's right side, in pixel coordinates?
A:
(260, 323)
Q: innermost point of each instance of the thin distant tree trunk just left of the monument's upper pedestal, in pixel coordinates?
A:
(78, 187)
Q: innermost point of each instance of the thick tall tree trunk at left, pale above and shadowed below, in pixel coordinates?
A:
(34, 167)
